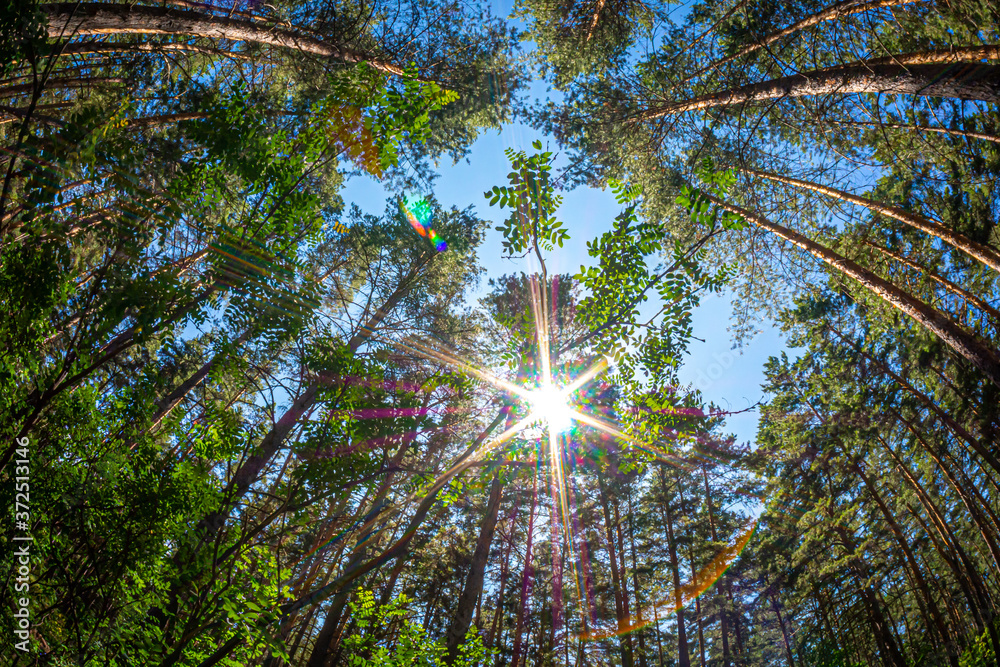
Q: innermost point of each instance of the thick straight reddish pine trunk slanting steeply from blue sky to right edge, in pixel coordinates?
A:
(964, 343)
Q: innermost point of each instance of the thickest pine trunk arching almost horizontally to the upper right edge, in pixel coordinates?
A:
(967, 81)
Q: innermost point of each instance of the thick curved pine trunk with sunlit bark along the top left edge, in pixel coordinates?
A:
(72, 19)
